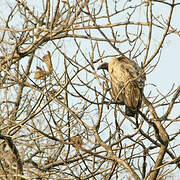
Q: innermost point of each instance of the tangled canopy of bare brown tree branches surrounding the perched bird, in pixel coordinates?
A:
(57, 117)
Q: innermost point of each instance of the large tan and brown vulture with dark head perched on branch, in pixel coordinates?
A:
(127, 82)
